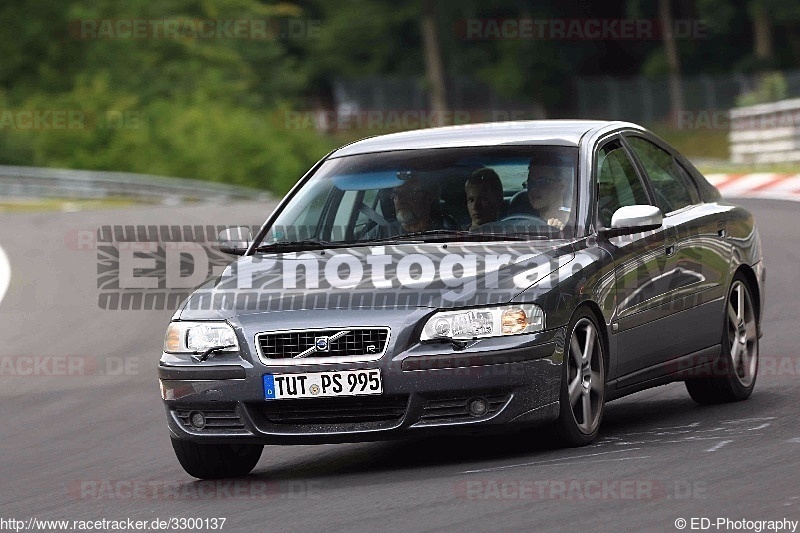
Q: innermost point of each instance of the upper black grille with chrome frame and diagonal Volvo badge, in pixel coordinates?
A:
(341, 342)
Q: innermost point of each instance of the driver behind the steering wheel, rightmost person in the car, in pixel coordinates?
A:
(548, 180)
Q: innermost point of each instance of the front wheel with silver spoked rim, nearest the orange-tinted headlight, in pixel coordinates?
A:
(582, 395)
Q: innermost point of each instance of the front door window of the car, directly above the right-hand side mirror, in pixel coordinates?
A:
(618, 184)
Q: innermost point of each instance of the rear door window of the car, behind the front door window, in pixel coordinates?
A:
(665, 175)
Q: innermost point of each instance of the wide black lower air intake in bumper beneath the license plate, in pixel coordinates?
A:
(335, 410)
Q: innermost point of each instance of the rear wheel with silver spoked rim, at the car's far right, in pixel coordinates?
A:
(735, 372)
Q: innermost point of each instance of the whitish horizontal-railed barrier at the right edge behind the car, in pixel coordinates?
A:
(766, 133)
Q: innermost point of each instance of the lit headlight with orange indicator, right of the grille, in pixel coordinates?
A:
(469, 324)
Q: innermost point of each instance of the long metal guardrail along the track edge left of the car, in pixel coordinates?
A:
(35, 182)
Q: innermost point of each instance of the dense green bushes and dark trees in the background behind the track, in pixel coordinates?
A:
(216, 108)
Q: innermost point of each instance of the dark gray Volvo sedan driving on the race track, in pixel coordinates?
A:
(466, 279)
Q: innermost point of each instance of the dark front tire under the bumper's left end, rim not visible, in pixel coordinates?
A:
(216, 461)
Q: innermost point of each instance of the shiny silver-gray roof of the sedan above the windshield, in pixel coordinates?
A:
(547, 132)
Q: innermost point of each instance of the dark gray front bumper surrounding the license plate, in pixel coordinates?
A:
(426, 389)
